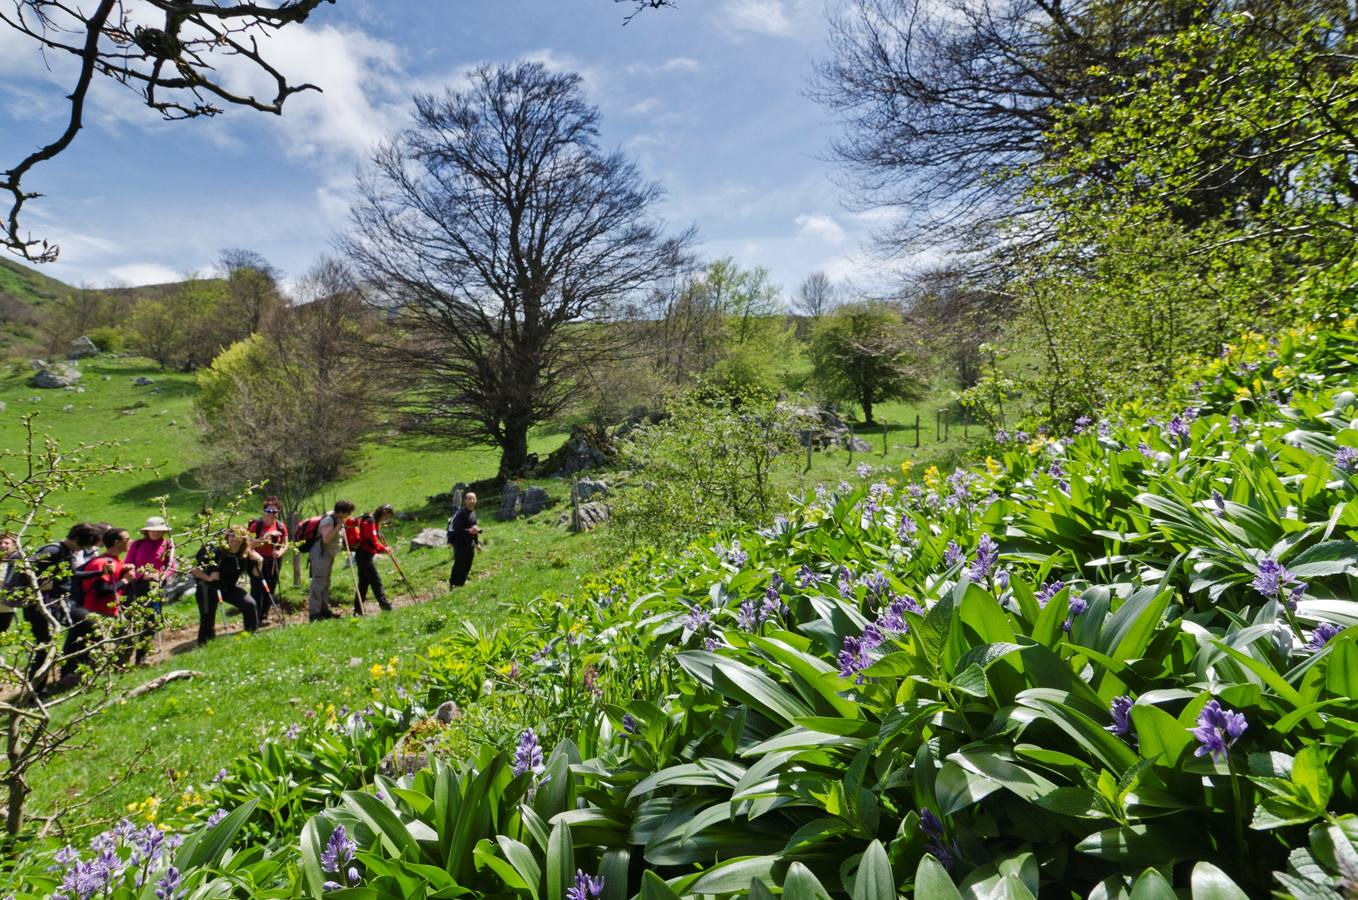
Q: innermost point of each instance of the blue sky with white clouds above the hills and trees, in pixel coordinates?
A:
(710, 98)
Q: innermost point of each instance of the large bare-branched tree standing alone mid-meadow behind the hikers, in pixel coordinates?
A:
(500, 237)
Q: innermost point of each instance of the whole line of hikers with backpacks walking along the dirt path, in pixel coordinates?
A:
(100, 571)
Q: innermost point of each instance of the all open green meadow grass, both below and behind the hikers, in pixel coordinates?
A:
(253, 688)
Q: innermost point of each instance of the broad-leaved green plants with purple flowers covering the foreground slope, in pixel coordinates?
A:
(1117, 664)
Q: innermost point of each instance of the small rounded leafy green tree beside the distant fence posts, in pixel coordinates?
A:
(863, 355)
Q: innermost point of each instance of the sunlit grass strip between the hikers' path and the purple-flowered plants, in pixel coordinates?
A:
(255, 688)
